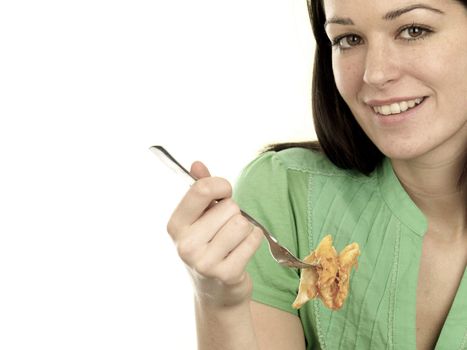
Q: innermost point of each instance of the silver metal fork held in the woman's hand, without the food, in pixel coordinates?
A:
(281, 254)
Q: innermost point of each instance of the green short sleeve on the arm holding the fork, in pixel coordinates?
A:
(262, 191)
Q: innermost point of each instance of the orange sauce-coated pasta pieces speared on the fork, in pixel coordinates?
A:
(330, 280)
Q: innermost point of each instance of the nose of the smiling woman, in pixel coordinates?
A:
(381, 65)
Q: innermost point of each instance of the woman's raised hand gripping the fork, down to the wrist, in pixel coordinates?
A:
(214, 240)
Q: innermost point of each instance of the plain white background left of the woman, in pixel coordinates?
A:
(85, 88)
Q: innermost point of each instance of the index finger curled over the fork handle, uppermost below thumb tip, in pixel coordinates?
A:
(197, 200)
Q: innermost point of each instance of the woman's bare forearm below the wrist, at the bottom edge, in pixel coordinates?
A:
(226, 328)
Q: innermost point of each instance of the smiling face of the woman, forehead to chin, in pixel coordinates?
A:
(401, 66)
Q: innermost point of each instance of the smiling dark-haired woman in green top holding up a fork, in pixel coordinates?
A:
(390, 109)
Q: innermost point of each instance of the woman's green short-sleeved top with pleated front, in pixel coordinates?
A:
(300, 196)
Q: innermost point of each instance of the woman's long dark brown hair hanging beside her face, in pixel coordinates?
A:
(339, 136)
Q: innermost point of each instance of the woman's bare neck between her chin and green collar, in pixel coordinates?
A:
(434, 187)
